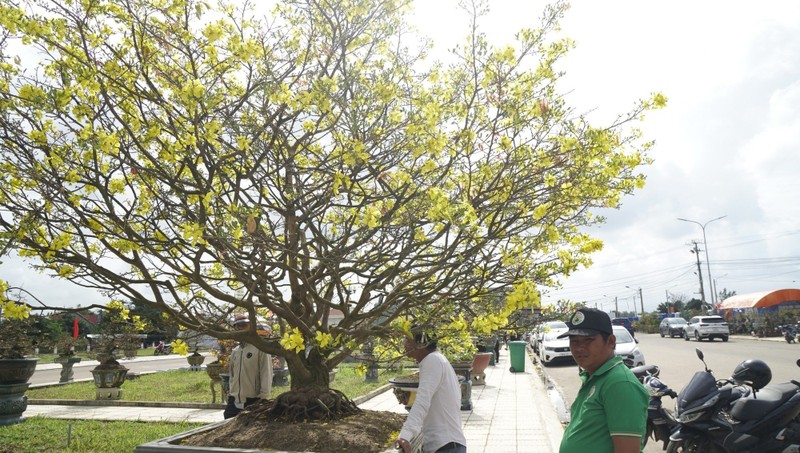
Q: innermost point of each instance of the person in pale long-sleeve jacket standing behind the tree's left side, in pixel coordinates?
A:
(250, 372)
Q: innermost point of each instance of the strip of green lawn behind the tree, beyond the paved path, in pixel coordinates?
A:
(194, 386)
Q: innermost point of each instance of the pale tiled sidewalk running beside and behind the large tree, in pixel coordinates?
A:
(511, 413)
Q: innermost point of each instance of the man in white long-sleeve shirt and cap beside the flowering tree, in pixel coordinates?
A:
(436, 411)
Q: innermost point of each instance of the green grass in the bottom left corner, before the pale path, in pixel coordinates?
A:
(40, 434)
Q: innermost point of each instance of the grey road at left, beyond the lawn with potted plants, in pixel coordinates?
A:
(50, 373)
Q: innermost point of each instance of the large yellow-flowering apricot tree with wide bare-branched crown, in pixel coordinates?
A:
(203, 162)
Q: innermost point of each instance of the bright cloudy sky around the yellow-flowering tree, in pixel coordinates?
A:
(727, 144)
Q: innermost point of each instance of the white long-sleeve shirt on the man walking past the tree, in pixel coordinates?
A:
(436, 411)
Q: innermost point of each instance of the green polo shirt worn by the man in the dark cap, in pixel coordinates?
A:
(611, 402)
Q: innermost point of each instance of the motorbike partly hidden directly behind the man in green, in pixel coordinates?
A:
(660, 420)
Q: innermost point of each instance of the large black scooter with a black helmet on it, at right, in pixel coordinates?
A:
(738, 414)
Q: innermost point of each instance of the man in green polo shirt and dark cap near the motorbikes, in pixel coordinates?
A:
(610, 412)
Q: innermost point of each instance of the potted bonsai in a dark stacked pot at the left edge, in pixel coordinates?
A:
(17, 338)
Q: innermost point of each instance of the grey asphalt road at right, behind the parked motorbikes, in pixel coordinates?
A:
(678, 362)
